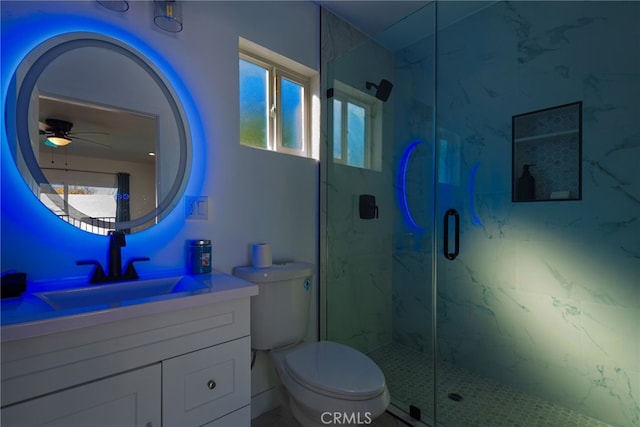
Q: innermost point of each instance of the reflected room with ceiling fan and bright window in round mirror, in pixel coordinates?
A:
(103, 140)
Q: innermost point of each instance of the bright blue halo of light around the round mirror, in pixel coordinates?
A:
(40, 223)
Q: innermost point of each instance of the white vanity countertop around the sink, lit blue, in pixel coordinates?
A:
(28, 316)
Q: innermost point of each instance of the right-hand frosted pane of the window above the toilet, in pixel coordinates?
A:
(292, 96)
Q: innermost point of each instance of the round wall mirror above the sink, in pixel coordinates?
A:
(100, 136)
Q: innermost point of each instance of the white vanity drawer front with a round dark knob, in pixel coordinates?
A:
(204, 385)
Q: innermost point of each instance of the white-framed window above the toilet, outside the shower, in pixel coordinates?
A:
(275, 101)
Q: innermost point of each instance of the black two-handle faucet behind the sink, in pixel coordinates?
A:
(116, 242)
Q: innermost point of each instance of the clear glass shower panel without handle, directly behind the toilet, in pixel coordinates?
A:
(378, 204)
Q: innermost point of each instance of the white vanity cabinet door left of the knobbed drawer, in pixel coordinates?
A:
(131, 399)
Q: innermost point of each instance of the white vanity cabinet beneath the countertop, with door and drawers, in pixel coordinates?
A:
(182, 366)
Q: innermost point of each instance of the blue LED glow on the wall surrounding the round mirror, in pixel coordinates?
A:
(28, 226)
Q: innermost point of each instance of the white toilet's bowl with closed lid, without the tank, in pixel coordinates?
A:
(329, 383)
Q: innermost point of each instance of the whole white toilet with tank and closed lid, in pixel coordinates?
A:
(323, 382)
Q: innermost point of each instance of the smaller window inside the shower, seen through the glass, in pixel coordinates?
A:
(357, 127)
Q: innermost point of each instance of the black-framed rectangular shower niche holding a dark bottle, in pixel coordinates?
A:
(547, 154)
